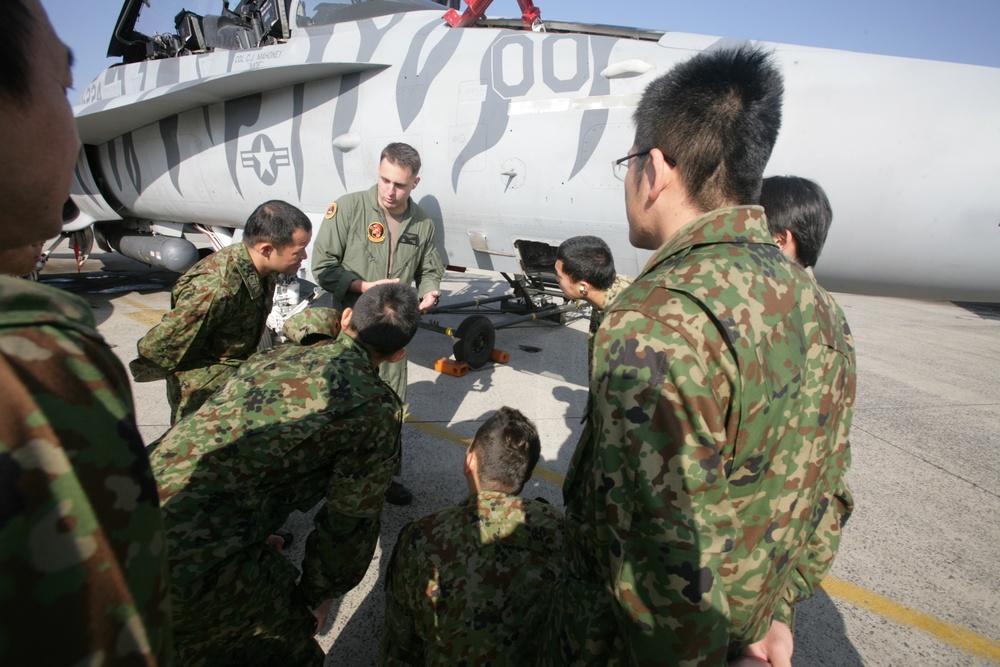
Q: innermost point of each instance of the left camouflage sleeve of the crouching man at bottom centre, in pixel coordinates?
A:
(400, 645)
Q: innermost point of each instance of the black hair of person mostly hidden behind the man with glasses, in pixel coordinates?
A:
(801, 207)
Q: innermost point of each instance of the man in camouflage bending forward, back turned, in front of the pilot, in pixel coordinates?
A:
(293, 426)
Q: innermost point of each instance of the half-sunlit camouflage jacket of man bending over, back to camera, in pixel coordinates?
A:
(293, 426)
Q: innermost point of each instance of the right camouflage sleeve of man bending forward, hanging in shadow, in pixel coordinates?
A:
(341, 547)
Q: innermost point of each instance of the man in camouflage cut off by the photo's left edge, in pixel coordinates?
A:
(82, 539)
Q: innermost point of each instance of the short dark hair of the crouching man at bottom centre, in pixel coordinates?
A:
(507, 448)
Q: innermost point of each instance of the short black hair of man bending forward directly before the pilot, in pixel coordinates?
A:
(386, 317)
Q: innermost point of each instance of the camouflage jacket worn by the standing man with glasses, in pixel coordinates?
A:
(707, 491)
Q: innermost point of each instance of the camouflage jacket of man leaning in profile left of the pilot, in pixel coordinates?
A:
(216, 318)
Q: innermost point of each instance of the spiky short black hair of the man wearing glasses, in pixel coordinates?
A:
(717, 115)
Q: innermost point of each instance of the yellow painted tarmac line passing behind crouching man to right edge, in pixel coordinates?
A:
(862, 598)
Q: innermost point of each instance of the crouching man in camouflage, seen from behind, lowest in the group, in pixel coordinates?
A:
(471, 584)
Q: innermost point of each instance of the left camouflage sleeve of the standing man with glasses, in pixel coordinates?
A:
(664, 495)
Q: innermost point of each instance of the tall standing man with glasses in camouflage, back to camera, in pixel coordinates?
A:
(707, 492)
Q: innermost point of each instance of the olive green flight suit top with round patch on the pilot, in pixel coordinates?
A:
(354, 243)
